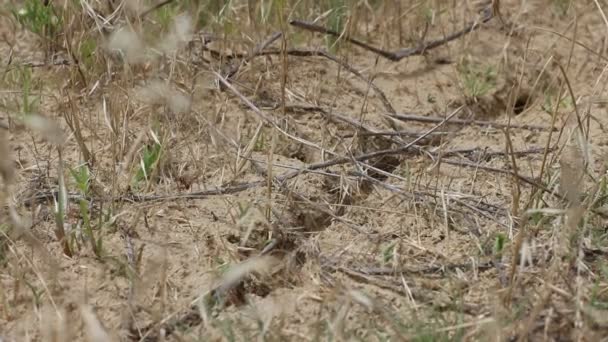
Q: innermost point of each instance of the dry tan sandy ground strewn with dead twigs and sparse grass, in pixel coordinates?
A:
(346, 252)
